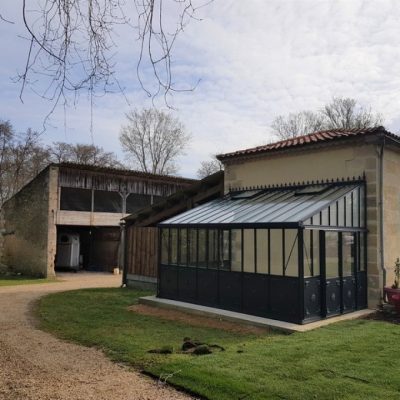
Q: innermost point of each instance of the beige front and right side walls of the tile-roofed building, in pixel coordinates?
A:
(345, 160)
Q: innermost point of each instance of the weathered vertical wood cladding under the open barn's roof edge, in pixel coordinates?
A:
(122, 184)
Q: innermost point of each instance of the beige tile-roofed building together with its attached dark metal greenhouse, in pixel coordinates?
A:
(308, 228)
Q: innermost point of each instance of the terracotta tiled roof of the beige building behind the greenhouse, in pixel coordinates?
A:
(310, 139)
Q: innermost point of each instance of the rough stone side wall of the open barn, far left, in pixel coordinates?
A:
(24, 227)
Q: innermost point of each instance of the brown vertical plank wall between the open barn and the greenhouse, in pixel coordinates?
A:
(141, 251)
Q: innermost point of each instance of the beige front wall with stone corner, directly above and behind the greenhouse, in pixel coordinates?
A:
(340, 161)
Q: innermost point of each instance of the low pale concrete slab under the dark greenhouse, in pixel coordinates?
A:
(245, 318)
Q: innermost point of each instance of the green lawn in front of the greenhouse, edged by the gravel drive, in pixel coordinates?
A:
(349, 360)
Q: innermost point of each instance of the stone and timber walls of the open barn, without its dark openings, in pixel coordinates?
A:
(30, 219)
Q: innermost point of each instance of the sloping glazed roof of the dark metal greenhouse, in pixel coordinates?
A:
(285, 206)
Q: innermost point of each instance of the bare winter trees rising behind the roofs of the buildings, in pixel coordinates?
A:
(152, 140)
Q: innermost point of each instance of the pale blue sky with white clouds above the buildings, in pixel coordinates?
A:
(254, 60)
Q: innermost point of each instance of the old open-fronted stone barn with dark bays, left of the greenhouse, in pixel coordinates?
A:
(72, 202)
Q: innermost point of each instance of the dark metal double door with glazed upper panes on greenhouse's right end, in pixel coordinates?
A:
(338, 272)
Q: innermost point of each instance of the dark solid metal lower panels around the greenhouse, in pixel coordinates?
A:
(268, 296)
